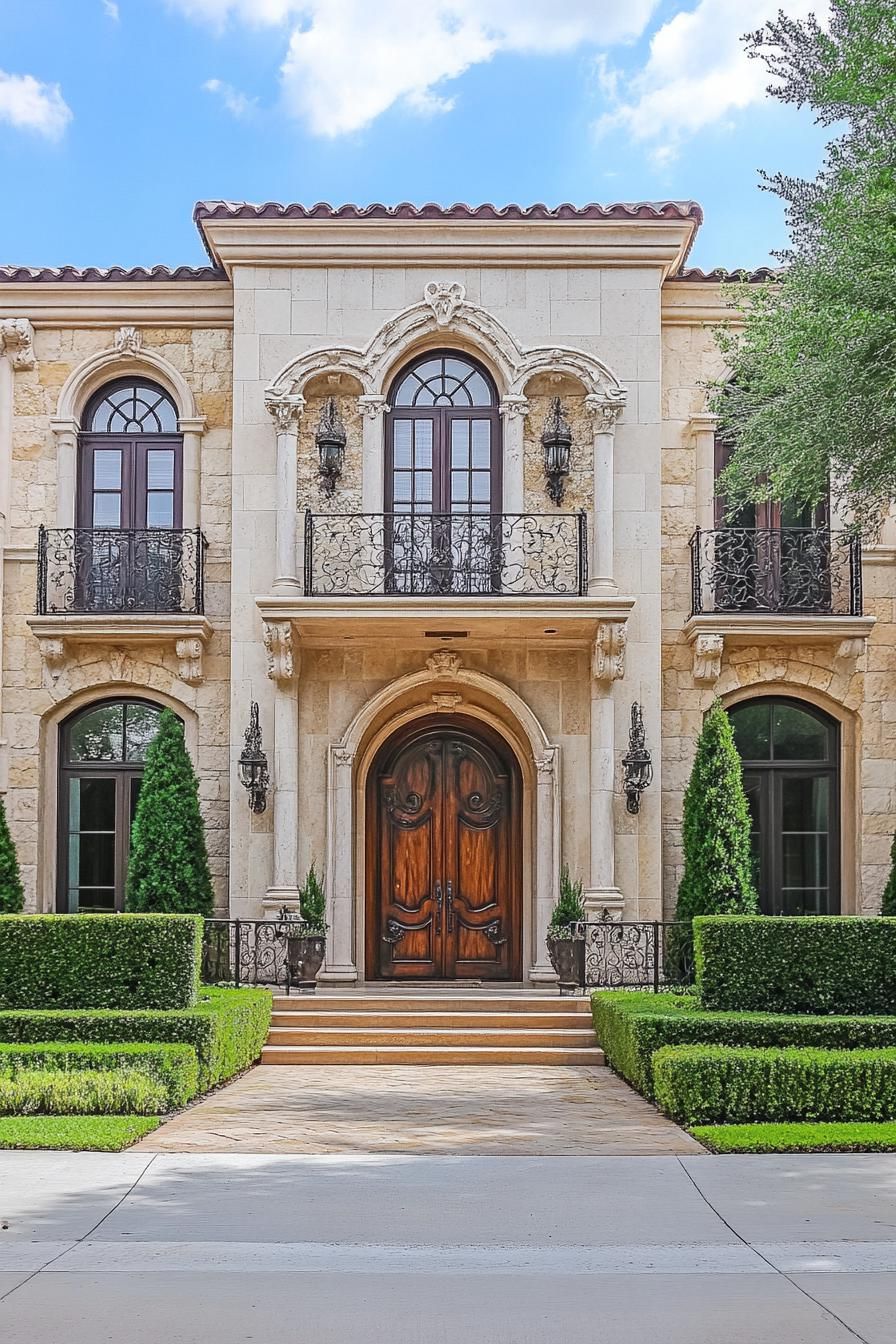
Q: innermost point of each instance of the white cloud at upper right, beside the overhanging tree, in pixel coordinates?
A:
(697, 76)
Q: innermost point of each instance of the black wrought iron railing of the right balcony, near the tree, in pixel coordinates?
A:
(785, 572)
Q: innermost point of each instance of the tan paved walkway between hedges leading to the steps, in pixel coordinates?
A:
(523, 1112)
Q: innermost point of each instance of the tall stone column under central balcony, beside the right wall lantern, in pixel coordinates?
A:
(608, 666)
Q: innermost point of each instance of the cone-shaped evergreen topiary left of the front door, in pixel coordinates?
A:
(169, 869)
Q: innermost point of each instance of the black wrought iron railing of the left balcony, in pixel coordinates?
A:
(84, 571)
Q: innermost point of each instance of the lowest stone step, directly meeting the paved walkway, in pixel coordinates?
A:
(432, 1056)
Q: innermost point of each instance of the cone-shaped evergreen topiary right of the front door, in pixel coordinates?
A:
(715, 833)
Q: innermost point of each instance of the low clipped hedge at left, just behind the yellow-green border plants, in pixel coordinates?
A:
(173, 1066)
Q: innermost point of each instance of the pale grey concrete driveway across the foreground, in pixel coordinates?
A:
(484, 1251)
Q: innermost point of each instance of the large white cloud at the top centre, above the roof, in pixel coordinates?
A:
(350, 61)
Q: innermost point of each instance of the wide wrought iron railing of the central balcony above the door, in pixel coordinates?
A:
(445, 554)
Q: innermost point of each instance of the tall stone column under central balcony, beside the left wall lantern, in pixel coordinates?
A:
(284, 669)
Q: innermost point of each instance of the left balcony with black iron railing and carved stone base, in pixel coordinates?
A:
(119, 589)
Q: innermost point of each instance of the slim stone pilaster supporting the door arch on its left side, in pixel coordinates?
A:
(341, 968)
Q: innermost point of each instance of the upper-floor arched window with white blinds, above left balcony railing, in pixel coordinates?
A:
(131, 459)
